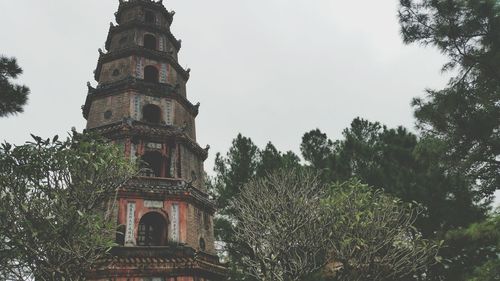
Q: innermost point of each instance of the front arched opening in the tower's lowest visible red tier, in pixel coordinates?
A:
(152, 230)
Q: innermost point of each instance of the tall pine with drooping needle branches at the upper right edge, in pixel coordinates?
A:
(465, 114)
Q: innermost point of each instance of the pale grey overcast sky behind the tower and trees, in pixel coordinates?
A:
(270, 69)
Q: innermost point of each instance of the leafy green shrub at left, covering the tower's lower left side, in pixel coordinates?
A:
(56, 198)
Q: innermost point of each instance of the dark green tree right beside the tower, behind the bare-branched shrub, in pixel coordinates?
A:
(243, 162)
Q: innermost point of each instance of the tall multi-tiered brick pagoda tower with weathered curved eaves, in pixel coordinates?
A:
(140, 103)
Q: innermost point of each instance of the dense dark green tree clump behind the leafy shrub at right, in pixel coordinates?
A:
(405, 166)
